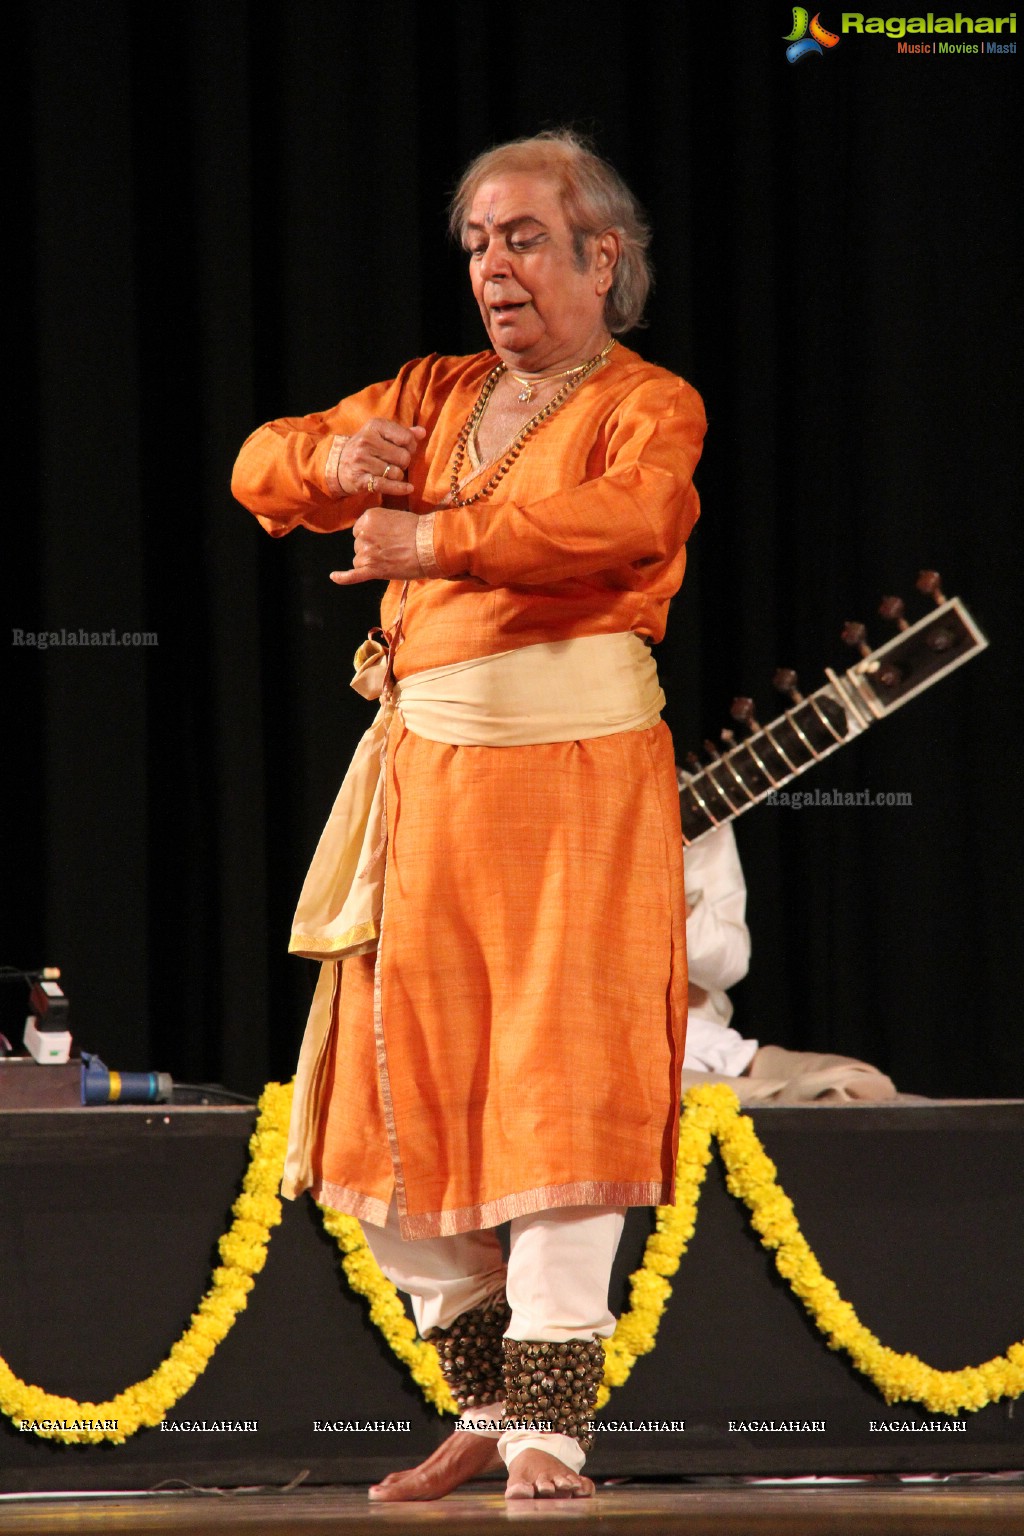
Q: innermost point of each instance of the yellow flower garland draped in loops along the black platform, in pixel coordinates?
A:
(710, 1113)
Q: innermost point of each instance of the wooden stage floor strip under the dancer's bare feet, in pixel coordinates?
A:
(983, 1508)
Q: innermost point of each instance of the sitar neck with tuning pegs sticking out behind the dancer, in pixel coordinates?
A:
(744, 773)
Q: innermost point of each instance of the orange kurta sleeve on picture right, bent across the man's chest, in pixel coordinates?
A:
(636, 509)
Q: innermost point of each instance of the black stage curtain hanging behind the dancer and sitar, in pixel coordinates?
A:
(231, 211)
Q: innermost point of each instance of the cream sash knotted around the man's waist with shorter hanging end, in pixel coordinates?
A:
(558, 692)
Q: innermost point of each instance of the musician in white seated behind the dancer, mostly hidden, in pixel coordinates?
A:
(718, 956)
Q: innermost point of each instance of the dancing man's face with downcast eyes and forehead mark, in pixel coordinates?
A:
(540, 310)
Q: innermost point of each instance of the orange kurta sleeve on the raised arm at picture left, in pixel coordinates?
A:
(288, 469)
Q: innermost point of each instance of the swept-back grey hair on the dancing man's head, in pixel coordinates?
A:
(595, 199)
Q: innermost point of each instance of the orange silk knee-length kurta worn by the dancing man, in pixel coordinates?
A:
(532, 982)
